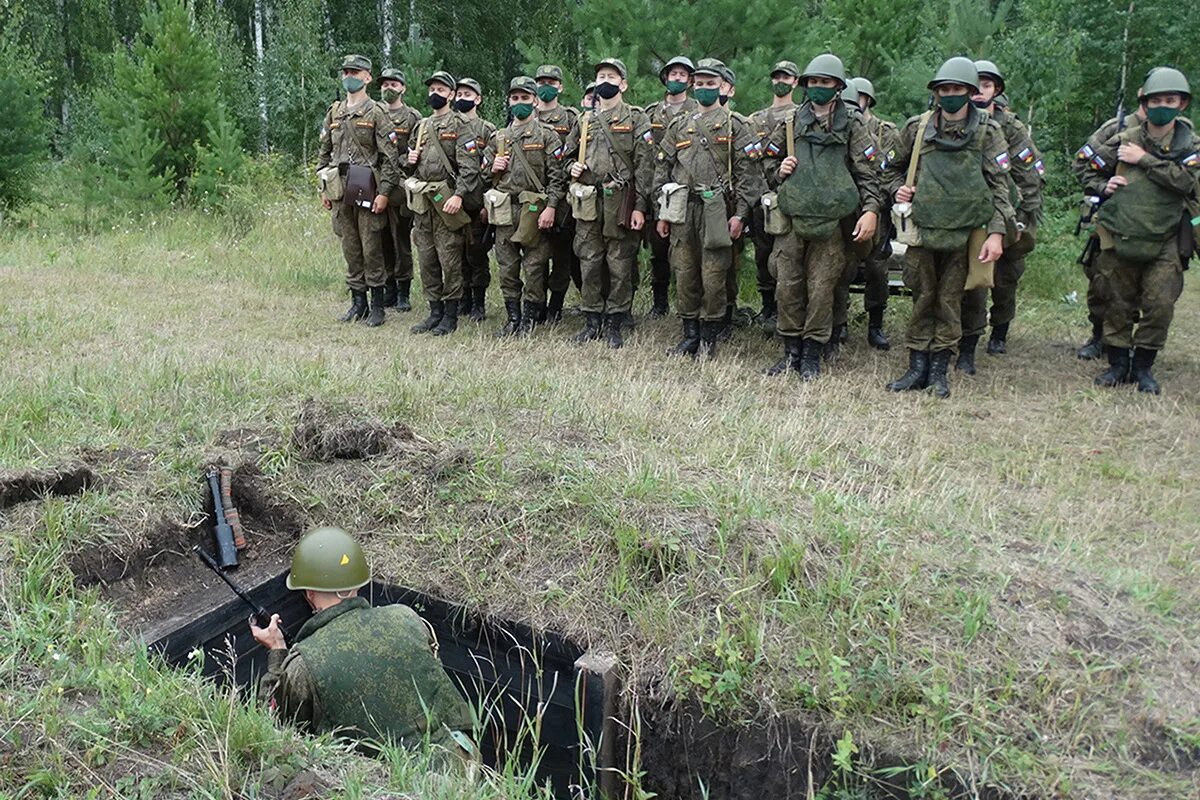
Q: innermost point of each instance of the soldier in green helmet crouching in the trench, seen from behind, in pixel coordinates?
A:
(370, 676)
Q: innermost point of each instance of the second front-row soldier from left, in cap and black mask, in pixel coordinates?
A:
(449, 152)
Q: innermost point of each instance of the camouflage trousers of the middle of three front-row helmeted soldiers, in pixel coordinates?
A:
(937, 279)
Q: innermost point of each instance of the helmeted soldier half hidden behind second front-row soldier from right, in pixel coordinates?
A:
(1025, 193)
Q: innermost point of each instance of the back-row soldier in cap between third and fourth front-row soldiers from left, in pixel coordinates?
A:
(565, 264)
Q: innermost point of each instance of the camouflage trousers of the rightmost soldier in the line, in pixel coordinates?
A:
(1149, 288)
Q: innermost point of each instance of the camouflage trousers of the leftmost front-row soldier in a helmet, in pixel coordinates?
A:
(808, 274)
